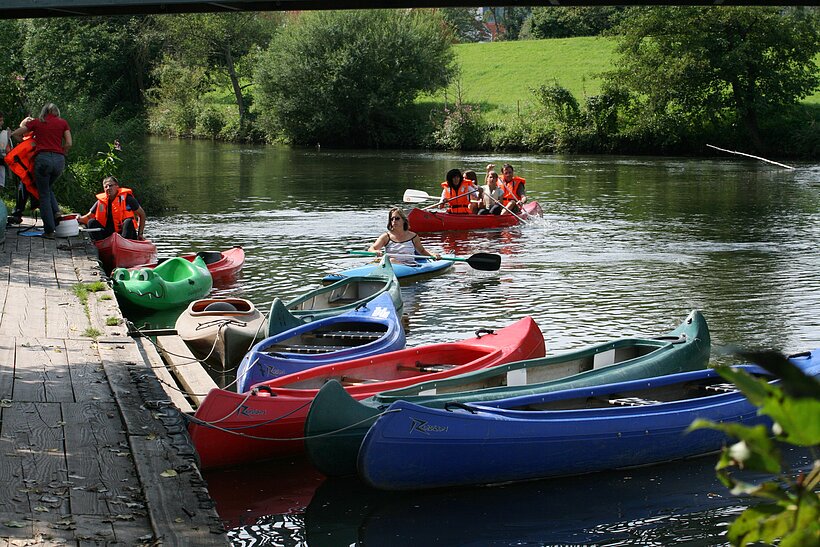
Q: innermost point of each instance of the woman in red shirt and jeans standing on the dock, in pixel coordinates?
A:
(53, 137)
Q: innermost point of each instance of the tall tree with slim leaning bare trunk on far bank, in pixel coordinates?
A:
(219, 41)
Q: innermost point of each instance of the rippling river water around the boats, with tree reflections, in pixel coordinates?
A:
(627, 246)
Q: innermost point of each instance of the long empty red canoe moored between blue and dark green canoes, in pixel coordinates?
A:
(234, 428)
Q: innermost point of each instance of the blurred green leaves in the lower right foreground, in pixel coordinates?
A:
(791, 512)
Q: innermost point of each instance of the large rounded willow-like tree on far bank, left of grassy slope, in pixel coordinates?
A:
(348, 78)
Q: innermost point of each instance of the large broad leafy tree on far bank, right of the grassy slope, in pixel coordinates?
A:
(709, 65)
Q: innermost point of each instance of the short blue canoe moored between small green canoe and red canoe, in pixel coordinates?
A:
(370, 329)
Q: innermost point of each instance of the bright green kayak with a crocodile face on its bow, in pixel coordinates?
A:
(173, 283)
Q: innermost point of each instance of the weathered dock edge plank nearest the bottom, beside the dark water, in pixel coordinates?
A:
(180, 508)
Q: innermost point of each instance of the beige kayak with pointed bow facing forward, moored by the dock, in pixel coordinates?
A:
(220, 337)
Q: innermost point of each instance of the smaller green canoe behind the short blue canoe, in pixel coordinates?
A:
(341, 297)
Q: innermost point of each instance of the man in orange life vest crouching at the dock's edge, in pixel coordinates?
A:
(116, 210)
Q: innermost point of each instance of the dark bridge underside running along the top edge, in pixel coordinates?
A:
(23, 9)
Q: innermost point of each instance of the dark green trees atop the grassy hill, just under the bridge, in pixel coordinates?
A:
(565, 22)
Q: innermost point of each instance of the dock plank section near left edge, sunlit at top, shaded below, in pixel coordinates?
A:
(41, 371)
